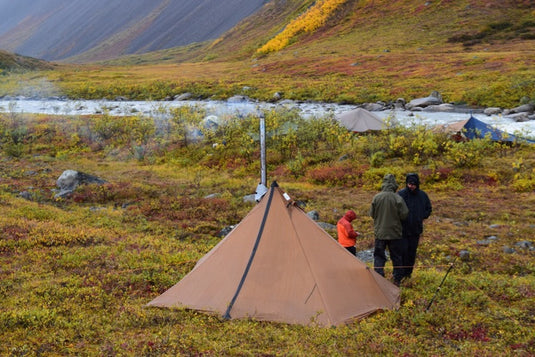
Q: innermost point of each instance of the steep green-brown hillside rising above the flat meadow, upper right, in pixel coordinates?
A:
(374, 27)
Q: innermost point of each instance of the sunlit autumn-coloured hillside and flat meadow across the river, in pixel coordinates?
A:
(478, 53)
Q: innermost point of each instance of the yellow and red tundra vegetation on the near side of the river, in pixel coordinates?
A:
(76, 272)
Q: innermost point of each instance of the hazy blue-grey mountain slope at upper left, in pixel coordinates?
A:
(103, 29)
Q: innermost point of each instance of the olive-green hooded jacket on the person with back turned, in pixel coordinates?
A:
(388, 210)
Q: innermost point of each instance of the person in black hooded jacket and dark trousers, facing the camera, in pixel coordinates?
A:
(419, 209)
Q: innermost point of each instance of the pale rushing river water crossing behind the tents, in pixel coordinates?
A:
(222, 108)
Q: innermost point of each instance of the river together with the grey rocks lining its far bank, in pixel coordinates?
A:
(431, 110)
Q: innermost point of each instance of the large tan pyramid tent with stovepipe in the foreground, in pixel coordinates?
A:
(278, 265)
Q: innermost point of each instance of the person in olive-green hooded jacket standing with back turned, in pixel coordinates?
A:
(388, 209)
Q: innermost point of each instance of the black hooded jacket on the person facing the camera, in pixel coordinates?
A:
(419, 207)
